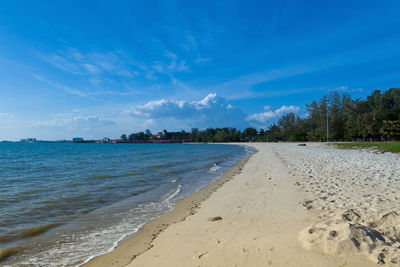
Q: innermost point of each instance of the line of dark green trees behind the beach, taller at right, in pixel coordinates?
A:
(334, 117)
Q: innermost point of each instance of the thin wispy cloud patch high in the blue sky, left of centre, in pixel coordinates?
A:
(114, 65)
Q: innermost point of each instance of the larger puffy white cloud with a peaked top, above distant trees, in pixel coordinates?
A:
(211, 111)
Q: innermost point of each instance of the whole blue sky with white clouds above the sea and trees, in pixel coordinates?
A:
(102, 68)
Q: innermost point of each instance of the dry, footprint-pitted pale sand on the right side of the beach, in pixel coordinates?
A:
(357, 196)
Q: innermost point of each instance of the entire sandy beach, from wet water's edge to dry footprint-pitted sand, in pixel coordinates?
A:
(287, 205)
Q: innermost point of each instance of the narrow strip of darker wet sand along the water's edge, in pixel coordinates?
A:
(133, 246)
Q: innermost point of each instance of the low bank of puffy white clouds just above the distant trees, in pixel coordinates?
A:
(211, 111)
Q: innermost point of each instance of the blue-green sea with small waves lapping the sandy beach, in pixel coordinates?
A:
(63, 203)
